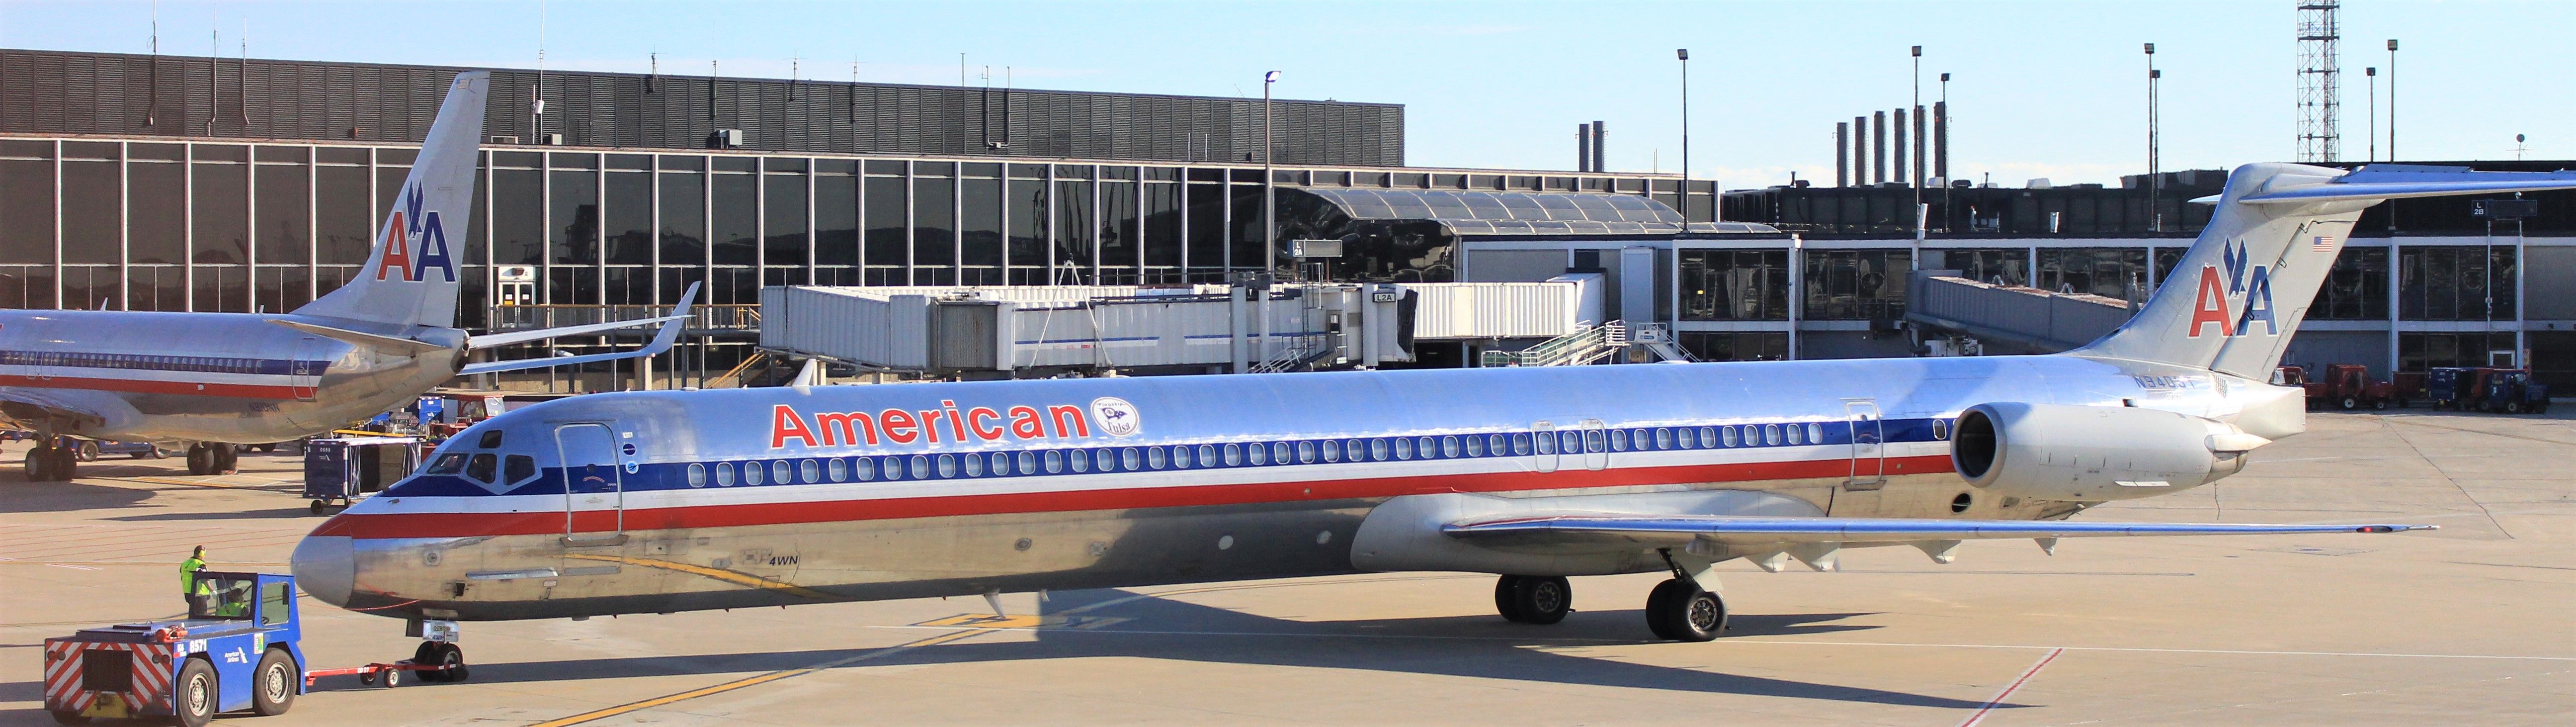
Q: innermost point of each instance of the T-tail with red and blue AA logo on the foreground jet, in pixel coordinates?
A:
(2242, 290)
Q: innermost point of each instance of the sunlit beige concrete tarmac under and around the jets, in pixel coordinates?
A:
(2469, 625)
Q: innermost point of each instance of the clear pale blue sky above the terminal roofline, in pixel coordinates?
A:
(2041, 89)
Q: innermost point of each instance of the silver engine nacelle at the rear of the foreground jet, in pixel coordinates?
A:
(2072, 452)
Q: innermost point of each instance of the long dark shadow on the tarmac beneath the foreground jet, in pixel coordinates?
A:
(1173, 630)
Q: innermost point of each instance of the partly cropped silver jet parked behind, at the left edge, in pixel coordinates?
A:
(246, 378)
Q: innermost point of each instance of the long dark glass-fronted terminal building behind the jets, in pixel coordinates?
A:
(138, 182)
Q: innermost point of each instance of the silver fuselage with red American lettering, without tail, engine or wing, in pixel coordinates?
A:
(676, 501)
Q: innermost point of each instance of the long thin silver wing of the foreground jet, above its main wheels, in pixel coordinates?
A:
(1761, 532)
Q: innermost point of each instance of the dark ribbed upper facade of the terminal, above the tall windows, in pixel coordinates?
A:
(341, 102)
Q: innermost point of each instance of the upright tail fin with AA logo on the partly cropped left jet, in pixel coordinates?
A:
(411, 277)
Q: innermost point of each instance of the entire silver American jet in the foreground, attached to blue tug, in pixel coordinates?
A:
(679, 501)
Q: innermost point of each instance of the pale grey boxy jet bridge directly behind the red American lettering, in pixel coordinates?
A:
(1045, 331)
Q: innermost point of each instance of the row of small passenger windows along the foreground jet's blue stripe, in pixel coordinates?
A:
(1243, 455)
